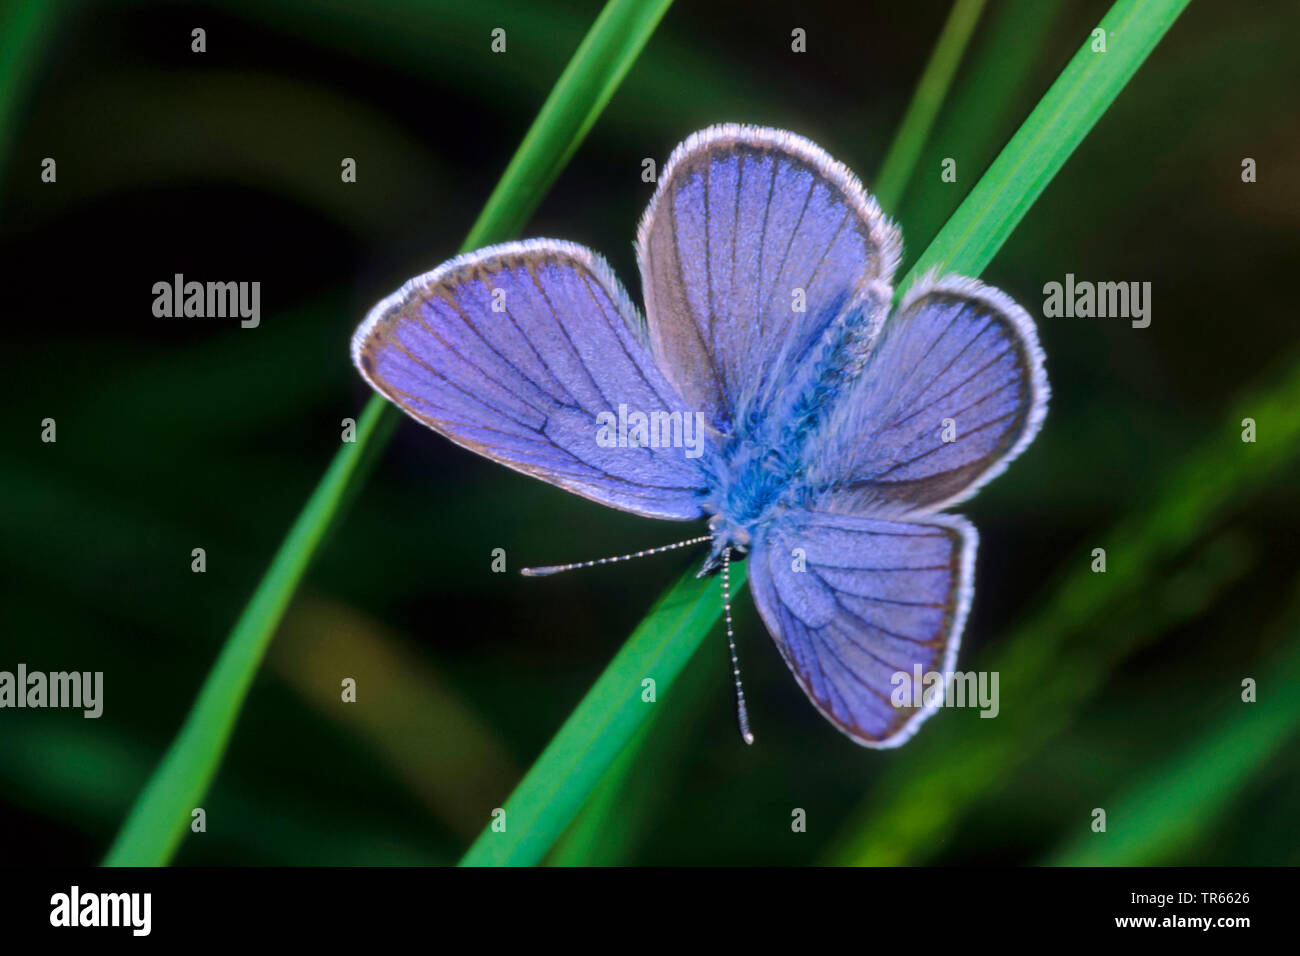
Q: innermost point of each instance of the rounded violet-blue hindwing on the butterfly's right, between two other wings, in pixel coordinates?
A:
(952, 392)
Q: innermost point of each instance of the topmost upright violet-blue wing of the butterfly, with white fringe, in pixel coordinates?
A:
(755, 245)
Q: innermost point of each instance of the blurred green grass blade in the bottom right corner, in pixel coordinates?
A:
(1167, 814)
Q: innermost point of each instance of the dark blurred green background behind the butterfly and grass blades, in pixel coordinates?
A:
(175, 435)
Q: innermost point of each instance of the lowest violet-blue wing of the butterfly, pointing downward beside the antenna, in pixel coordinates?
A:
(855, 603)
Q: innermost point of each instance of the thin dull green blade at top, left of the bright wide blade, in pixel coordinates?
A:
(915, 131)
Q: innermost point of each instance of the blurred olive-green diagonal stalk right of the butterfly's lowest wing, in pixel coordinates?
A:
(1045, 672)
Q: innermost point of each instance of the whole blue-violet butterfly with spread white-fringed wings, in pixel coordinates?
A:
(768, 388)
